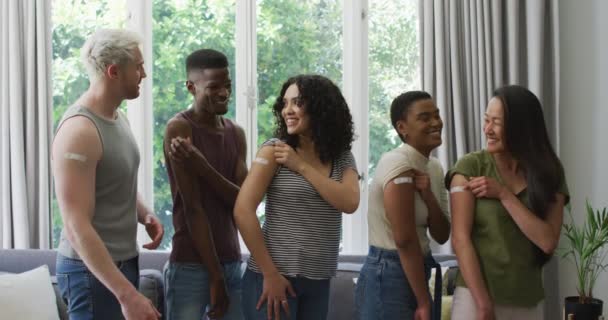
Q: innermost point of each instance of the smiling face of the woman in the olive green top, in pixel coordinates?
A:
(494, 126)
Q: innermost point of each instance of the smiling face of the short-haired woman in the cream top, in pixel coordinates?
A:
(422, 126)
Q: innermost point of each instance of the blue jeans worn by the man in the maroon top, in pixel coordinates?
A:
(187, 291)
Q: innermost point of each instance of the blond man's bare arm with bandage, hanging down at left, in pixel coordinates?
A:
(76, 151)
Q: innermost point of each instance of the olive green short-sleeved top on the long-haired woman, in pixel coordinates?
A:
(510, 263)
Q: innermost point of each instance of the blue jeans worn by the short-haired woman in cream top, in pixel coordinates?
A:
(382, 290)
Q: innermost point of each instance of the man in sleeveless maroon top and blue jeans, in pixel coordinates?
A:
(205, 155)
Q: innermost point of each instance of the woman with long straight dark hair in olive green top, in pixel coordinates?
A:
(507, 206)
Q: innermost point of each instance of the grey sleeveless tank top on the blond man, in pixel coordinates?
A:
(115, 216)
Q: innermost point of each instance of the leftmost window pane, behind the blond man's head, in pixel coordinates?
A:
(74, 21)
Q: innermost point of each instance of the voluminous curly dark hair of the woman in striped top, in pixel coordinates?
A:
(330, 119)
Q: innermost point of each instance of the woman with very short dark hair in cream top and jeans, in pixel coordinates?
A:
(406, 199)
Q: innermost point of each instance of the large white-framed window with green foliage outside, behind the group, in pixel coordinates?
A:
(369, 48)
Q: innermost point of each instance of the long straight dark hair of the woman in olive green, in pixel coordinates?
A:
(528, 142)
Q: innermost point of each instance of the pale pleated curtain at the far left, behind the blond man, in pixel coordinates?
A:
(25, 123)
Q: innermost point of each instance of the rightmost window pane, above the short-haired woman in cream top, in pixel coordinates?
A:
(393, 68)
